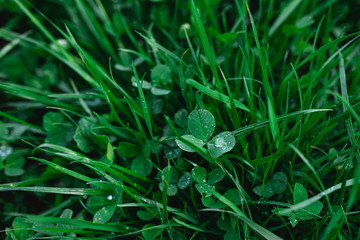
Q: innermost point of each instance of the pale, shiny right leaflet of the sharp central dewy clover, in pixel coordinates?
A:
(221, 143)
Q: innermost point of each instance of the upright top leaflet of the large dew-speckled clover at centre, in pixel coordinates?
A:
(201, 124)
